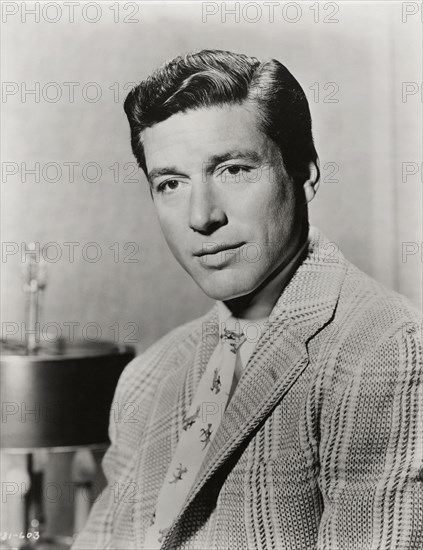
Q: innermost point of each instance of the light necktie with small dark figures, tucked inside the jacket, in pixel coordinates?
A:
(198, 431)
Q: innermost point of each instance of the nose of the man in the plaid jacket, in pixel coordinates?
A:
(206, 213)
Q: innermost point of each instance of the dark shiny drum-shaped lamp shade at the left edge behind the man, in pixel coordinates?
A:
(61, 396)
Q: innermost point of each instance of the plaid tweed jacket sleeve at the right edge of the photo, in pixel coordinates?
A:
(371, 448)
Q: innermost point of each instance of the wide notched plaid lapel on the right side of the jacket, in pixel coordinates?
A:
(306, 305)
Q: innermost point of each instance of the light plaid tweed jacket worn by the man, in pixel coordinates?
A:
(320, 446)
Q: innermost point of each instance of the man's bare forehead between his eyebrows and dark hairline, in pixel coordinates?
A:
(198, 134)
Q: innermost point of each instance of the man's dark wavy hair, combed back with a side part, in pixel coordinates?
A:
(216, 77)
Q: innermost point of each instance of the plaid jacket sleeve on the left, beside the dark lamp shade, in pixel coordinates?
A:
(98, 531)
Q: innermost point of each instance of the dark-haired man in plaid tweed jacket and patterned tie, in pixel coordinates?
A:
(318, 438)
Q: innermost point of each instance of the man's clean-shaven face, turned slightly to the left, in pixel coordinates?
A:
(225, 203)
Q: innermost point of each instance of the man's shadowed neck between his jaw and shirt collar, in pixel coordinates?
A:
(259, 303)
